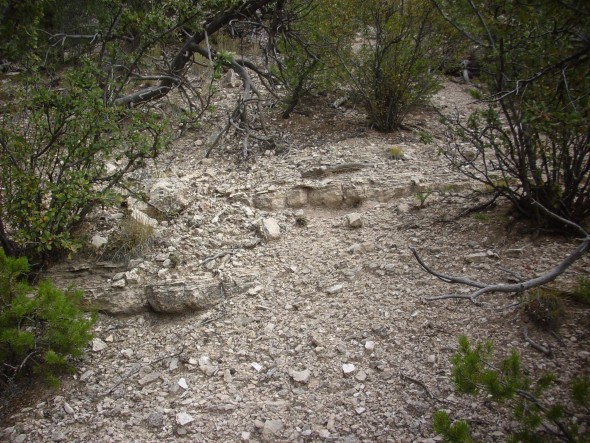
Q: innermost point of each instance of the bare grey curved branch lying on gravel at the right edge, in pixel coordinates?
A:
(485, 288)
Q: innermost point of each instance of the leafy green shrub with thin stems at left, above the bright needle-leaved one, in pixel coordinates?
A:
(64, 152)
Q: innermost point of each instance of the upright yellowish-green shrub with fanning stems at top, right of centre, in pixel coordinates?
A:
(392, 67)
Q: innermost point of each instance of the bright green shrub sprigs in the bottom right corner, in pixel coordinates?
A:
(475, 372)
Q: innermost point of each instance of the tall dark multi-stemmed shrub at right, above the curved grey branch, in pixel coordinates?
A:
(535, 130)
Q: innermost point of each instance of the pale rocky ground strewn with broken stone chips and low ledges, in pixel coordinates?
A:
(278, 300)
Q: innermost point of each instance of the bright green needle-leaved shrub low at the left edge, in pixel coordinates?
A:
(41, 329)
